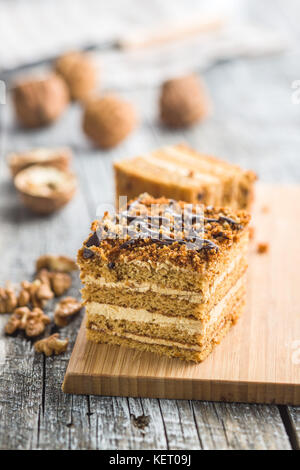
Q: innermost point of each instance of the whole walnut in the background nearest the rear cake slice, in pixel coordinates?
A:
(108, 120)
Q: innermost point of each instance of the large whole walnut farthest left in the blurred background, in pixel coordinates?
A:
(39, 102)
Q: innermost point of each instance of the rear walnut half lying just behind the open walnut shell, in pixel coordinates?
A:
(59, 158)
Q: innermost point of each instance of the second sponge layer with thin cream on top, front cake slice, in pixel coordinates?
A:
(154, 298)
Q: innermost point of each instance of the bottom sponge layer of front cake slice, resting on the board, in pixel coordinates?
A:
(188, 352)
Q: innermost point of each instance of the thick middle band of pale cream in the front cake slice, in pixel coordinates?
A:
(186, 325)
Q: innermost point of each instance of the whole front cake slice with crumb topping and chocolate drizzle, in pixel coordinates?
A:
(164, 276)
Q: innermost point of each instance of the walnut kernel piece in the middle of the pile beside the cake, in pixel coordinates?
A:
(37, 293)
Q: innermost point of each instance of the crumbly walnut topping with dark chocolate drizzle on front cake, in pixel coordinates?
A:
(137, 233)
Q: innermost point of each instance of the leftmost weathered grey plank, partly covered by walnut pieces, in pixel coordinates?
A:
(21, 373)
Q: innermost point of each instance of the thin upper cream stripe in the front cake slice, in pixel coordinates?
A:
(149, 286)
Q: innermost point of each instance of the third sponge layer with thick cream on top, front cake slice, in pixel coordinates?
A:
(142, 322)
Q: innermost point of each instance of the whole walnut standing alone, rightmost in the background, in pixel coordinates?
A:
(183, 101)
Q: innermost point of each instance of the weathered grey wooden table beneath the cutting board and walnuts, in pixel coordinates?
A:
(254, 124)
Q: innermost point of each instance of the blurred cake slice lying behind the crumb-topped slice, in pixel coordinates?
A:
(181, 173)
